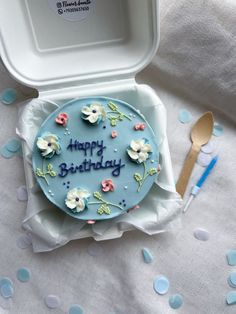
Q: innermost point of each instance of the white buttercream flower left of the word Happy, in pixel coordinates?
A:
(48, 145)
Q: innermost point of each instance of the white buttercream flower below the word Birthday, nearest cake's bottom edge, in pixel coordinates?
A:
(77, 200)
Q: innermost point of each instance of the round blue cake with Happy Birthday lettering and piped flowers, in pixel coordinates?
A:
(95, 158)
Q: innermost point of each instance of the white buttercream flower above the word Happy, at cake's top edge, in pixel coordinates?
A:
(95, 113)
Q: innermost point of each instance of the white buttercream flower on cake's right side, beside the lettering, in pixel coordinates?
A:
(139, 150)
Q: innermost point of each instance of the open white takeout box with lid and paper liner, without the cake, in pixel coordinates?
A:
(69, 49)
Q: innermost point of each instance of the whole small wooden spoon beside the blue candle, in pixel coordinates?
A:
(200, 135)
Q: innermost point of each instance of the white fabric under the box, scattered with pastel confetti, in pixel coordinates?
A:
(195, 68)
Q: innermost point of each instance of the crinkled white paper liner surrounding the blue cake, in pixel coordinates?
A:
(51, 228)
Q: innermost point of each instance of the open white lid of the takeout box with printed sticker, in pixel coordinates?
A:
(51, 43)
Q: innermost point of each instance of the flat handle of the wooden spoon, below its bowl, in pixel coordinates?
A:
(187, 169)
